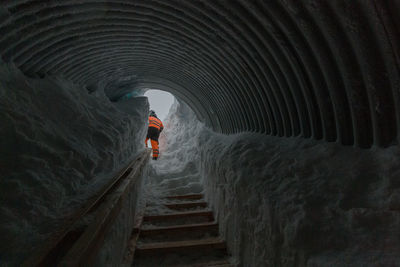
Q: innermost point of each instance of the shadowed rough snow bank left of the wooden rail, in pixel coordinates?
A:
(58, 146)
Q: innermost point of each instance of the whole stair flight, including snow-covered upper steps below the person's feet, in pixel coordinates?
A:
(178, 227)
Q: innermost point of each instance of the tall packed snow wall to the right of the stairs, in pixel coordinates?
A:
(294, 201)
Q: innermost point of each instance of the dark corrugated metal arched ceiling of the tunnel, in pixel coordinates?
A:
(318, 69)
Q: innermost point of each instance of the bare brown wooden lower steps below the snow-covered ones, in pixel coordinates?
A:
(183, 234)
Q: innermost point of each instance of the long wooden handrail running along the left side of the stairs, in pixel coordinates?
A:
(75, 245)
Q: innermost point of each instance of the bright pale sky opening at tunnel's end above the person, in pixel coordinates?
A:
(160, 102)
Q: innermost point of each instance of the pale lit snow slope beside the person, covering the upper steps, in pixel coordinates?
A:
(176, 172)
